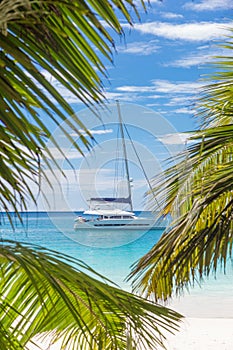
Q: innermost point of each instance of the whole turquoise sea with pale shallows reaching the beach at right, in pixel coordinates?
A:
(112, 253)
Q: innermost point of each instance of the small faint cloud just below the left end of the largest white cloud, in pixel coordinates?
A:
(140, 48)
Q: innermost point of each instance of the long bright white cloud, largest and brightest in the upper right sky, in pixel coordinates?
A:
(199, 31)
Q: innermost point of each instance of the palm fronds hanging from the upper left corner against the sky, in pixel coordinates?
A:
(45, 44)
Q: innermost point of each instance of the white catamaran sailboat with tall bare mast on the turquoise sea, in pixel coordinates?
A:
(104, 212)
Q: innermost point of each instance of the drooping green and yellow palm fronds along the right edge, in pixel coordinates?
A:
(198, 193)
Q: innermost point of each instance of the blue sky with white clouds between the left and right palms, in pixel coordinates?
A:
(159, 64)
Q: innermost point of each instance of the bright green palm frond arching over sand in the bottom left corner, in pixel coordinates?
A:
(46, 293)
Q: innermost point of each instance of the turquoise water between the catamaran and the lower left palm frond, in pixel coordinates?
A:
(104, 251)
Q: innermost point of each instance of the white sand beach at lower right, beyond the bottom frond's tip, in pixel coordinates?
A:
(208, 324)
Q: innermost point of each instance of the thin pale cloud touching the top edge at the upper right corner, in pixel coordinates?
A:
(209, 5)
